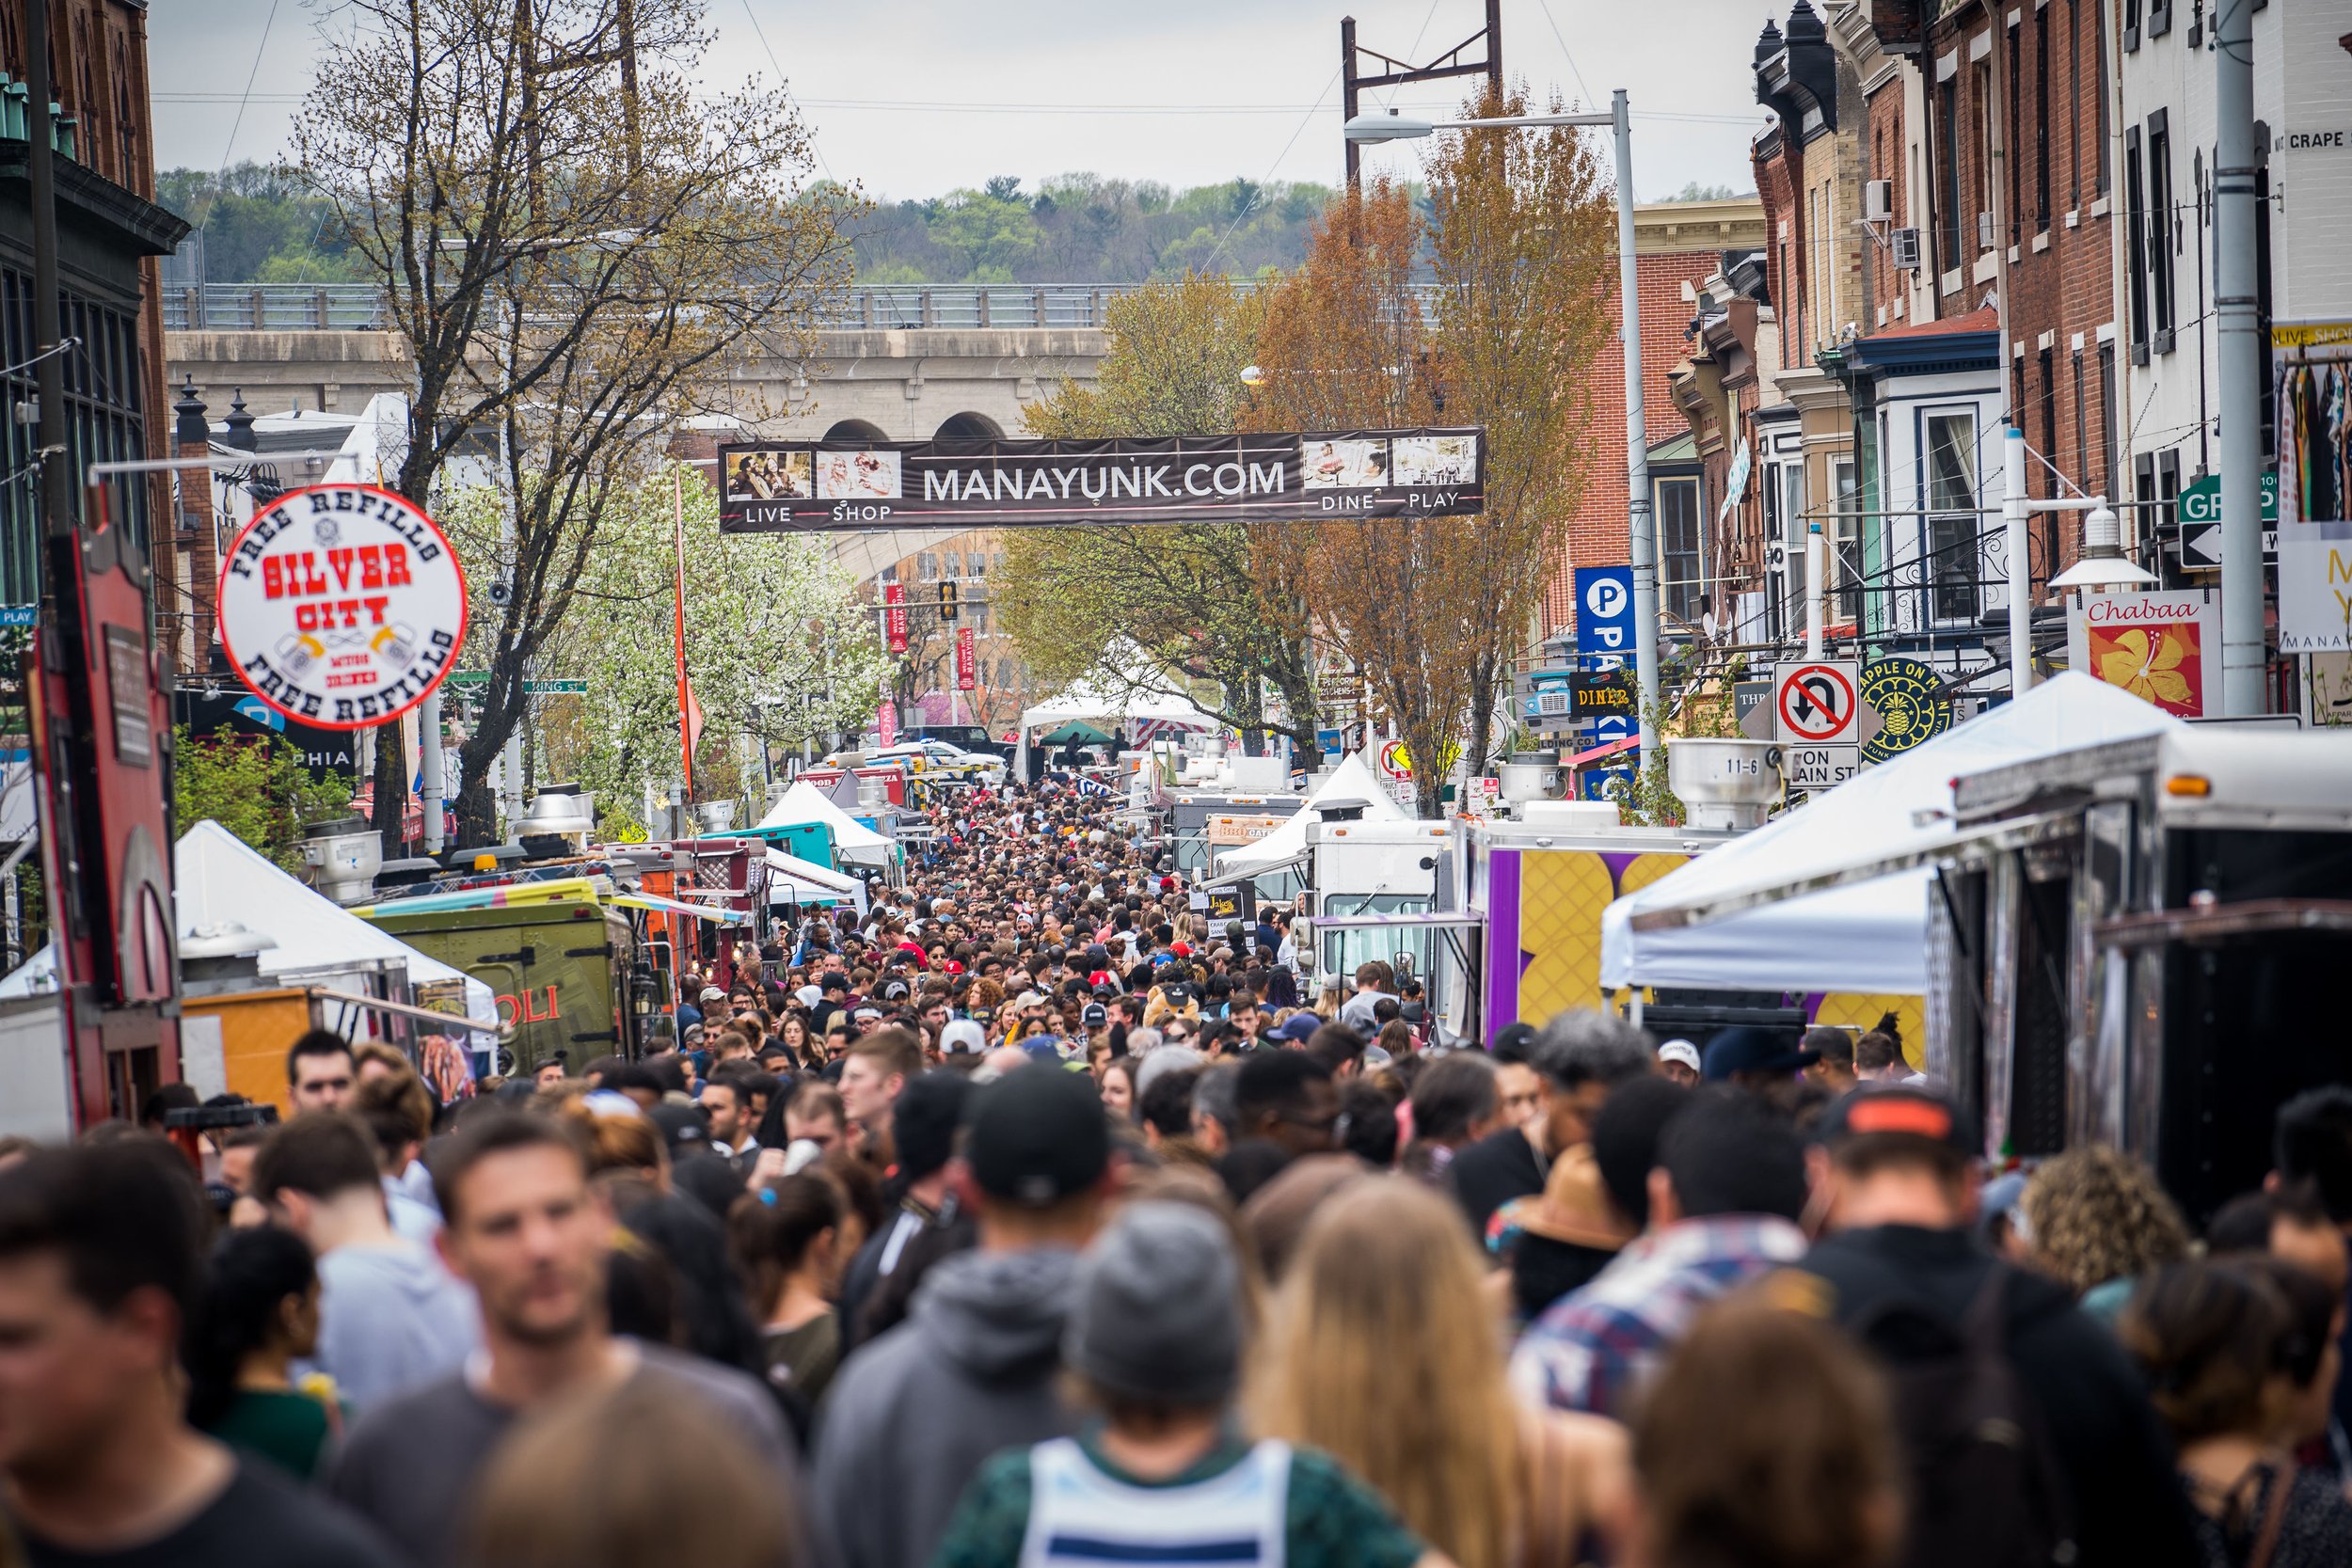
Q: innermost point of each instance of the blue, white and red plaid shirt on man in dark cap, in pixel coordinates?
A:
(1591, 1348)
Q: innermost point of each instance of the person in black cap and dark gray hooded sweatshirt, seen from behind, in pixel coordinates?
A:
(975, 1369)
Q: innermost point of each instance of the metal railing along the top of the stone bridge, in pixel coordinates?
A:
(359, 307)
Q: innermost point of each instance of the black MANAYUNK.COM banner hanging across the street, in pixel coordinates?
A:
(801, 488)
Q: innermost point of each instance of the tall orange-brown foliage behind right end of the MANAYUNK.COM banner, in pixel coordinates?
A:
(1506, 337)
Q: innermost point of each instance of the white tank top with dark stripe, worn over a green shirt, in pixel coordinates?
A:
(1078, 1515)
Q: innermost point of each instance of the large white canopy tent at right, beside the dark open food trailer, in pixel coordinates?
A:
(1770, 911)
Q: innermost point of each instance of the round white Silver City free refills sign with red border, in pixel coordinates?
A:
(342, 605)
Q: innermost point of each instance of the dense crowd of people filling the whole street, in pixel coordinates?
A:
(1034, 1219)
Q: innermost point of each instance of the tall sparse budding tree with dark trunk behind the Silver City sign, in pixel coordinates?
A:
(580, 248)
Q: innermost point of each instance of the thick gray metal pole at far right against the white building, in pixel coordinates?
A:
(2238, 328)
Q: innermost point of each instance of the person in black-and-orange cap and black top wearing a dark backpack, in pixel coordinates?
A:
(2029, 1435)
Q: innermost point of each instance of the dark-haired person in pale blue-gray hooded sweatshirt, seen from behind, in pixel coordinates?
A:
(389, 1315)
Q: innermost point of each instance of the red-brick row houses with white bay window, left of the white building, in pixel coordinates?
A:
(1939, 260)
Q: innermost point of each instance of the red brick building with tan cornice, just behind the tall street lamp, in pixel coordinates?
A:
(1678, 246)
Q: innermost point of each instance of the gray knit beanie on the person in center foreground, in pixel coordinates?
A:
(1158, 1308)
